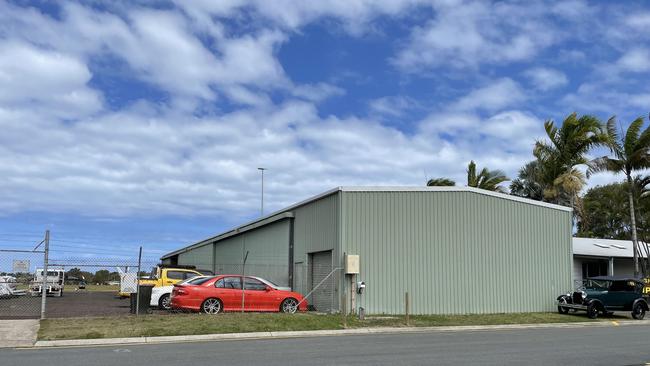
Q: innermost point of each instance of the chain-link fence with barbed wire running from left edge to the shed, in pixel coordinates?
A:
(91, 285)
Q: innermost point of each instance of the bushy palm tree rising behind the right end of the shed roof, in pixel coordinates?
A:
(567, 148)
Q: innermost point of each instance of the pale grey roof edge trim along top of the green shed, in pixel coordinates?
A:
(278, 214)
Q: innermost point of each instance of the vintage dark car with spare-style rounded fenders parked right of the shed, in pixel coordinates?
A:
(604, 295)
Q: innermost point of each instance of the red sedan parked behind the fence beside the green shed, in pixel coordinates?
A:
(224, 293)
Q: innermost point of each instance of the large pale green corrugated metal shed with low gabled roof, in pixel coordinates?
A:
(455, 250)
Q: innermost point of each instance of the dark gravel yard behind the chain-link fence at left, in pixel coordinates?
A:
(72, 304)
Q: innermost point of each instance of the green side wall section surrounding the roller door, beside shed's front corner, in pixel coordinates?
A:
(316, 229)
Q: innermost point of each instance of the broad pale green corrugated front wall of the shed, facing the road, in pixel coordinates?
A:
(456, 252)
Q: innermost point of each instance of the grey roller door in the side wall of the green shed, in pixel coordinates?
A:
(320, 266)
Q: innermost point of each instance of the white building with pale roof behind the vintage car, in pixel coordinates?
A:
(601, 257)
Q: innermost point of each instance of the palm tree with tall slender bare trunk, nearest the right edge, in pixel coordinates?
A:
(630, 154)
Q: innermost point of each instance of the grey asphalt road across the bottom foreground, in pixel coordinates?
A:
(609, 346)
